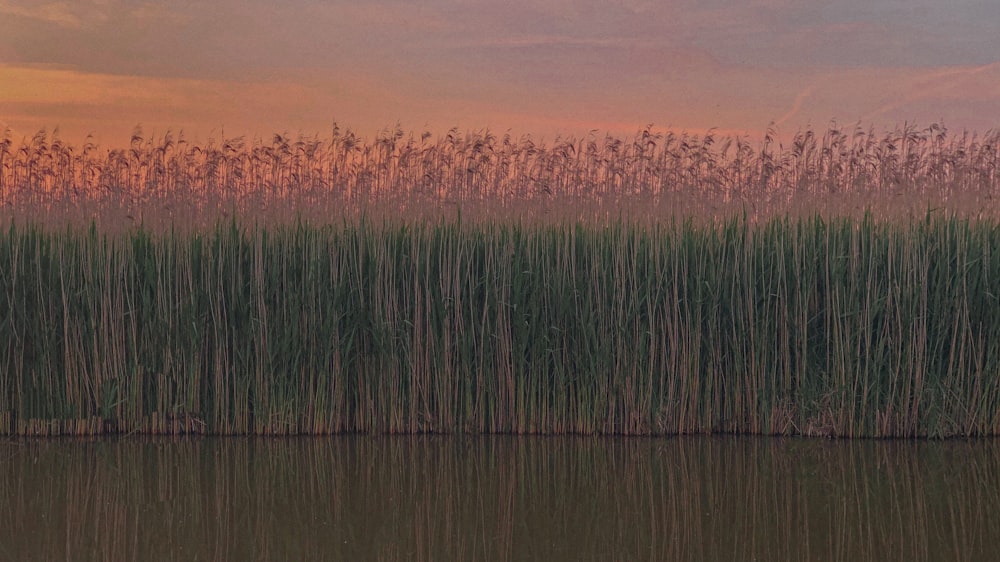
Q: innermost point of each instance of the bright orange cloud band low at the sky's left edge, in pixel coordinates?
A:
(79, 103)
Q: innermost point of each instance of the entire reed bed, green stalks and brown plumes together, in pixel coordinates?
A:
(667, 284)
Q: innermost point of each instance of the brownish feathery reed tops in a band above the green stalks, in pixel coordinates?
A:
(161, 181)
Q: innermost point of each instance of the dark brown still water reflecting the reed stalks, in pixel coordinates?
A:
(498, 498)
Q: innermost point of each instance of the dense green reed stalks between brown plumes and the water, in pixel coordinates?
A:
(817, 326)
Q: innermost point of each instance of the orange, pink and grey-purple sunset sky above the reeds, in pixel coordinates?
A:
(227, 68)
